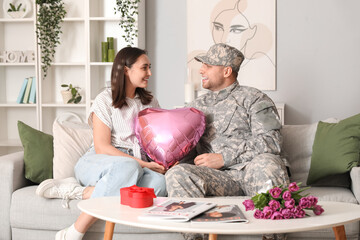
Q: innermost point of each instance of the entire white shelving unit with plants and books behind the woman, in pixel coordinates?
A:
(77, 61)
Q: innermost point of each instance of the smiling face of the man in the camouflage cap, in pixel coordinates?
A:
(212, 77)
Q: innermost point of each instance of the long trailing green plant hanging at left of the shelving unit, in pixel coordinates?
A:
(50, 15)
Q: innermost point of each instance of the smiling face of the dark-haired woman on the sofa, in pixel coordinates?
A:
(138, 75)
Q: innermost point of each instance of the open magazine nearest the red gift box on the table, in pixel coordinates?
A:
(176, 210)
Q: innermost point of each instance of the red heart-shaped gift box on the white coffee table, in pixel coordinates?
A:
(137, 197)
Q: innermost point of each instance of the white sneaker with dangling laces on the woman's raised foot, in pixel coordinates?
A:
(66, 189)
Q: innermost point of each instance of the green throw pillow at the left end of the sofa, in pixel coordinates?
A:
(38, 153)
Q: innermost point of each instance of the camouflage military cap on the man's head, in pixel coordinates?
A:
(222, 55)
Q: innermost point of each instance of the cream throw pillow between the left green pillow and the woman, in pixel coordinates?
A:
(71, 141)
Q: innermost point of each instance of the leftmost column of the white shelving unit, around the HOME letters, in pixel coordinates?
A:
(16, 35)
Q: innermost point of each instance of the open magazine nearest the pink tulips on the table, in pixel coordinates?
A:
(221, 213)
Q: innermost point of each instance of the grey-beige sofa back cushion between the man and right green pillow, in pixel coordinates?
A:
(297, 147)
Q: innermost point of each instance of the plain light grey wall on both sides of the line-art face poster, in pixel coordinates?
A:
(318, 50)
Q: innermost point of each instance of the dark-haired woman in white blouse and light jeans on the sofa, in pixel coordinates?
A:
(114, 160)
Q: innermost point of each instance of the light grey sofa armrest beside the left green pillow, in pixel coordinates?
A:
(11, 179)
